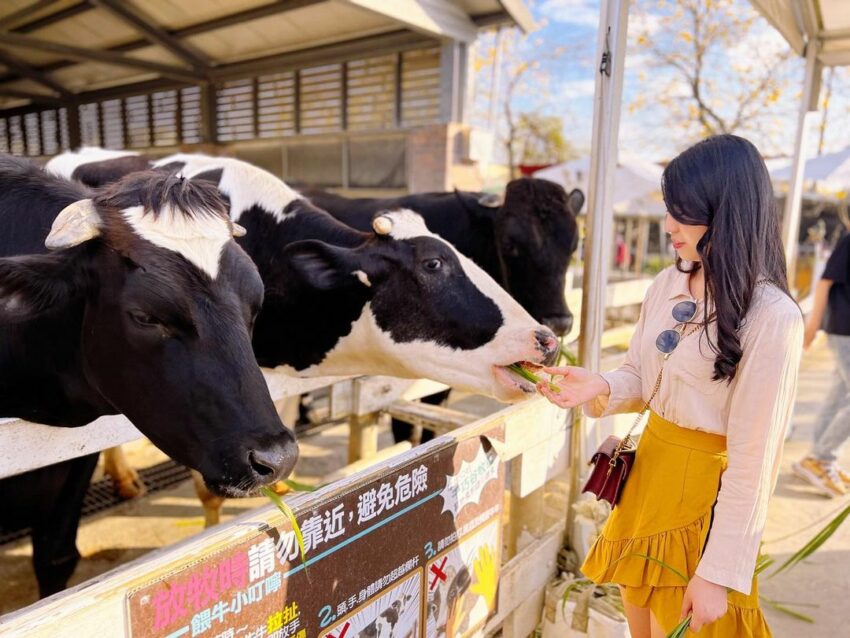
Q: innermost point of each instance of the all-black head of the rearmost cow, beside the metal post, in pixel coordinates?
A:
(536, 233)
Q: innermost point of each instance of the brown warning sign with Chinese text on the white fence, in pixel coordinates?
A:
(412, 553)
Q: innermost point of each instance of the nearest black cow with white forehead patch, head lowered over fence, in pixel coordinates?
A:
(145, 307)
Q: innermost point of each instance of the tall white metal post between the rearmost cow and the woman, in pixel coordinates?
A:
(611, 54)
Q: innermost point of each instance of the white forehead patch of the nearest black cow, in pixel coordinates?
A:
(200, 238)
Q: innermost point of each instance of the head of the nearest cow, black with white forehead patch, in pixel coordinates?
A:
(167, 302)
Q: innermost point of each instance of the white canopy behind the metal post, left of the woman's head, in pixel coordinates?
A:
(637, 183)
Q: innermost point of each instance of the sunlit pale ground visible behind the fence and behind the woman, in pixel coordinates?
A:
(820, 585)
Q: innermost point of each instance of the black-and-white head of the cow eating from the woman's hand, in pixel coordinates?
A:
(422, 310)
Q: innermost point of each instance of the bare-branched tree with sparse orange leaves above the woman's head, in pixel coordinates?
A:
(712, 66)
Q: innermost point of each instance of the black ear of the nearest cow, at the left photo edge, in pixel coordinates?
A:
(34, 284)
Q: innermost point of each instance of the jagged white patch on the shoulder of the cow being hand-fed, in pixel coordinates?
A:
(245, 184)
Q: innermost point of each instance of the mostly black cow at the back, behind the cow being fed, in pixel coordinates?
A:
(525, 243)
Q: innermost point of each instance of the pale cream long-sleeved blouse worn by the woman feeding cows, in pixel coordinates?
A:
(753, 411)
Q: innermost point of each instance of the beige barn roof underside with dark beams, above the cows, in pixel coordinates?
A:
(199, 38)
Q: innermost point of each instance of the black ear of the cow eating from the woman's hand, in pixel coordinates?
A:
(323, 266)
